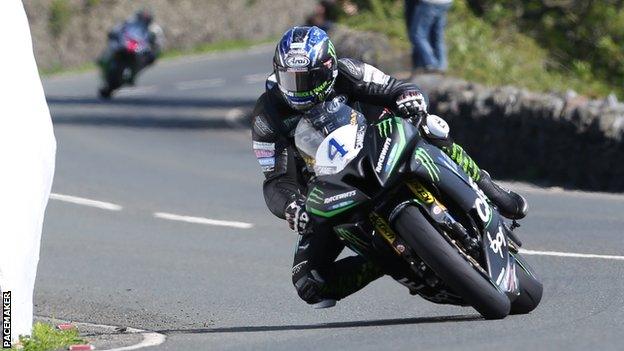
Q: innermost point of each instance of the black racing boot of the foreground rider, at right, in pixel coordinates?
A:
(510, 204)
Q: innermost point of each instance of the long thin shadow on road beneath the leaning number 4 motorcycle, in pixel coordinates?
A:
(352, 324)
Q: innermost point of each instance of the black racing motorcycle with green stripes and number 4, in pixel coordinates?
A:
(401, 202)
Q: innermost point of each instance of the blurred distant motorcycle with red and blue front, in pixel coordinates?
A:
(131, 52)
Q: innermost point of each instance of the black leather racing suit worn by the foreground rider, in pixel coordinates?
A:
(316, 273)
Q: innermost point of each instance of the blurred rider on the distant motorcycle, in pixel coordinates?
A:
(143, 19)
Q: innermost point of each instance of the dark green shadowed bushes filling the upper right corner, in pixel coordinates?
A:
(581, 36)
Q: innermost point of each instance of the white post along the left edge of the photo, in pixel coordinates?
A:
(27, 152)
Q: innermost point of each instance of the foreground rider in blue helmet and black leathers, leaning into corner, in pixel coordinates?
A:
(307, 72)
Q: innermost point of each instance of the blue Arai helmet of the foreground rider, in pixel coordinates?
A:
(305, 66)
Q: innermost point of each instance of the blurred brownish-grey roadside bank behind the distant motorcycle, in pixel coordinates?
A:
(69, 33)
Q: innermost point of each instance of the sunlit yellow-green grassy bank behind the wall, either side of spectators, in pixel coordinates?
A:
(495, 48)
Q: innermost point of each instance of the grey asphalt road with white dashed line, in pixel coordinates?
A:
(168, 146)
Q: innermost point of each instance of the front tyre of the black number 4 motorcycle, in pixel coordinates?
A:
(450, 266)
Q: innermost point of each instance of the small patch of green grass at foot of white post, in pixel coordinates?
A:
(46, 338)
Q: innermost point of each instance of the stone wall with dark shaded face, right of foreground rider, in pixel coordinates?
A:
(563, 139)
